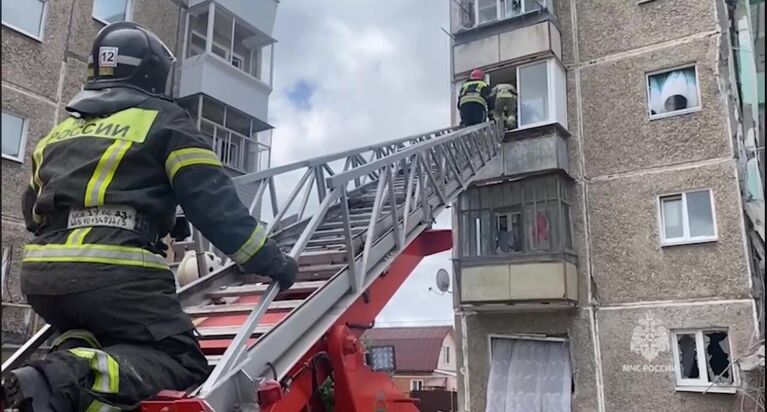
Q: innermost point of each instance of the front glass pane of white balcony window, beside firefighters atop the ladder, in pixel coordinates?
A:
(533, 94)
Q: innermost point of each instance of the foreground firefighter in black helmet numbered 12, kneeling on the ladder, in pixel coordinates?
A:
(104, 190)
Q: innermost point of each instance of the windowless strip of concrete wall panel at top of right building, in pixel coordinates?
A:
(611, 26)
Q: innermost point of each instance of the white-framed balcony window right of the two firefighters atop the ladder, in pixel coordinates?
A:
(541, 94)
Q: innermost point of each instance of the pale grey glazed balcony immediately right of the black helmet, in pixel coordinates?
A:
(227, 59)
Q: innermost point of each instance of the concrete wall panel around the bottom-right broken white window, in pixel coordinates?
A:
(650, 387)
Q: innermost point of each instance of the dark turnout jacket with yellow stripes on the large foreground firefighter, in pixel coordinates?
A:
(123, 150)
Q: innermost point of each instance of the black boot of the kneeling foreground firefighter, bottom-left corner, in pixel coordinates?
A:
(26, 390)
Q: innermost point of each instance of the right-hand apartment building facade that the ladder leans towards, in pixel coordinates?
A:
(611, 258)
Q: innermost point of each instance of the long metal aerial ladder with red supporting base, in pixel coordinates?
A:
(360, 224)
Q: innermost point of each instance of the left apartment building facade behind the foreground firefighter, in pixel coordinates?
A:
(223, 78)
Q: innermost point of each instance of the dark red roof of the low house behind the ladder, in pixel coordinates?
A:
(416, 349)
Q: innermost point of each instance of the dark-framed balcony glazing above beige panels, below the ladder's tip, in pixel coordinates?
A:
(516, 217)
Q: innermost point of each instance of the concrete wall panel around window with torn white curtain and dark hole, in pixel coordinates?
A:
(618, 133)
